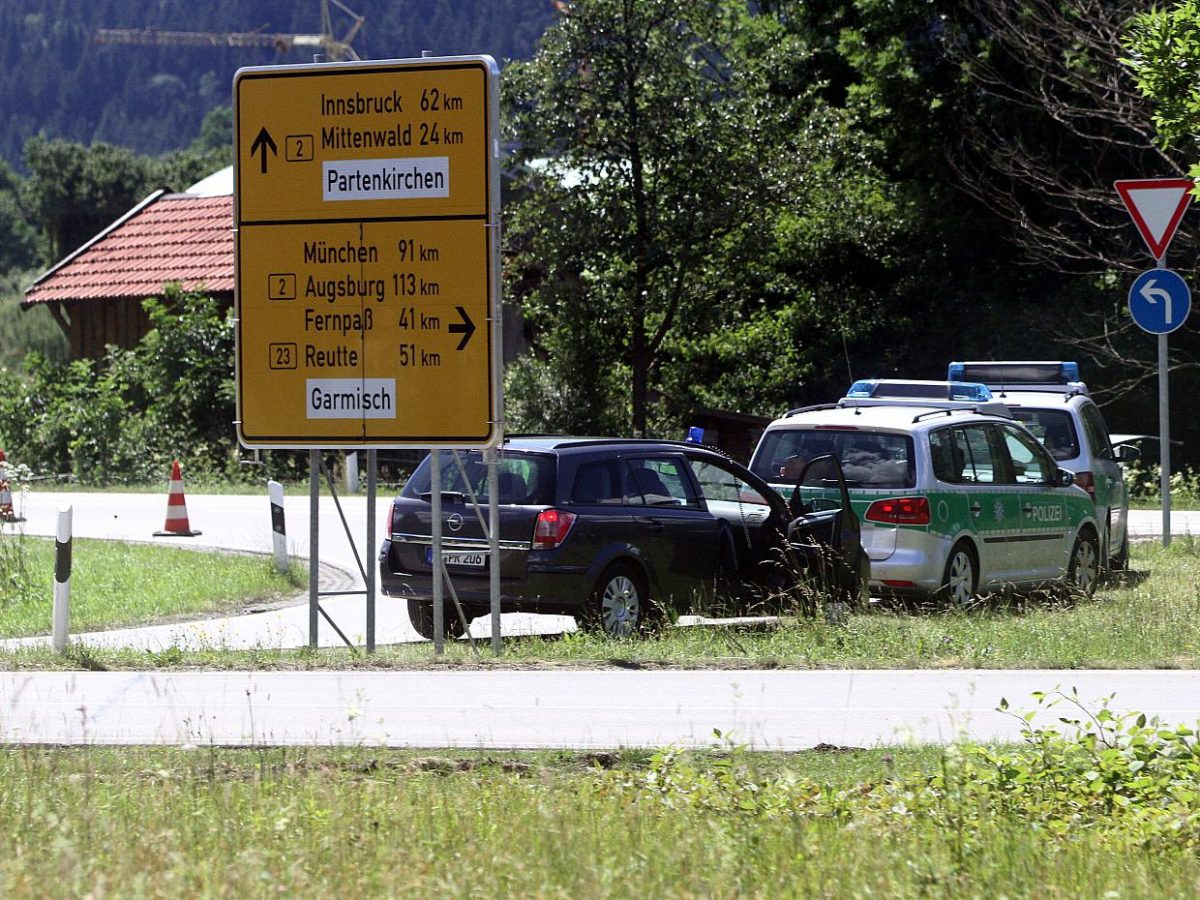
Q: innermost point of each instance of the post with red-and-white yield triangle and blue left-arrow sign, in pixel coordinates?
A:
(1160, 299)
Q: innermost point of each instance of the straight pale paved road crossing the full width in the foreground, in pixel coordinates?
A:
(761, 710)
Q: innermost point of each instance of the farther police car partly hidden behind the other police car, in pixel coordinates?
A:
(1051, 400)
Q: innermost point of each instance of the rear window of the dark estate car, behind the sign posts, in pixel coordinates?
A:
(524, 478)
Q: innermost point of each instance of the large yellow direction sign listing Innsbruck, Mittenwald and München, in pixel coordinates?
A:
(368, 269)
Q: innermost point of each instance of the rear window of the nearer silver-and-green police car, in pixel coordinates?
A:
(869, 459)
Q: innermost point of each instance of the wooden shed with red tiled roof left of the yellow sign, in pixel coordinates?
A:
(97, 293)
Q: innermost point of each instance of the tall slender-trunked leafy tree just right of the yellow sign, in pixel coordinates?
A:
(633, 103)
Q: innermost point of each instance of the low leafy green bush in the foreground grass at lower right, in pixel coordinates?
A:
(1121, 781)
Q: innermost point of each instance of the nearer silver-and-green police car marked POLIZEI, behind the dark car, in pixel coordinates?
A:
(956, 499)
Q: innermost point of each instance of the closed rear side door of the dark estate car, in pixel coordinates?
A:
(679, 537)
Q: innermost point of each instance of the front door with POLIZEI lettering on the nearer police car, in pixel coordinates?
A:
(1042, 544)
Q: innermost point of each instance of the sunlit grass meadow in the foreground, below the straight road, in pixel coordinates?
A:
(1042, 821)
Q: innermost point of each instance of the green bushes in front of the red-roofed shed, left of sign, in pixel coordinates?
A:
(123, 419)
